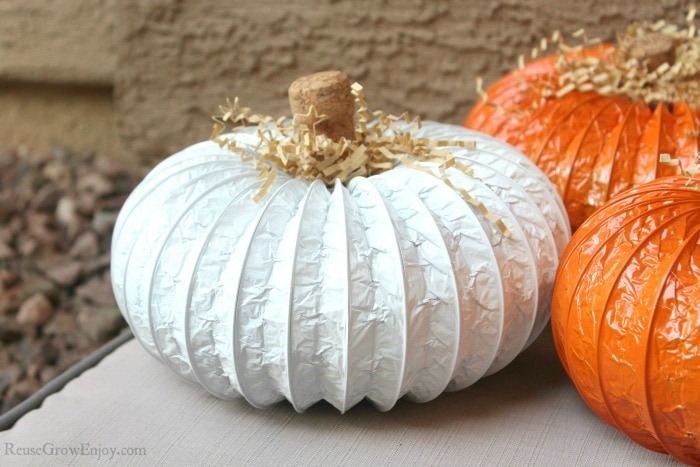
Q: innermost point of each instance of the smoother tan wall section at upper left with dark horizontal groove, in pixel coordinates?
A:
(57, 62)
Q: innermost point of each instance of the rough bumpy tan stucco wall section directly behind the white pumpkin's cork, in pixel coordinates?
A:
(180, 59)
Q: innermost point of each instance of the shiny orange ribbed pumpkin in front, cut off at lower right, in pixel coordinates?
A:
(626, 315)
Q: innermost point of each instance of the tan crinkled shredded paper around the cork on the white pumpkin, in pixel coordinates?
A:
(378, 145)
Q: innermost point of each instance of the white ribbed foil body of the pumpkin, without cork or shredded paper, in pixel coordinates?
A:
(390, 286)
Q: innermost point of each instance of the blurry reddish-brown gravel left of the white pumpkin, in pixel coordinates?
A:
(57, 211)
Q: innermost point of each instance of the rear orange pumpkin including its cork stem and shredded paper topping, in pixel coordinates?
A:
(590, 117)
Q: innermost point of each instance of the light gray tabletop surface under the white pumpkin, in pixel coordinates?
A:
(527, 414)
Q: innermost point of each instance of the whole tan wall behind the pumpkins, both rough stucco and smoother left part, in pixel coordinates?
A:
(174, 61)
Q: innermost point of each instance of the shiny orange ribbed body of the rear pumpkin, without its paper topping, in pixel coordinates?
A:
(591, 146)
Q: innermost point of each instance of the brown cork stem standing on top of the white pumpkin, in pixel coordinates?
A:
(331, 95)
